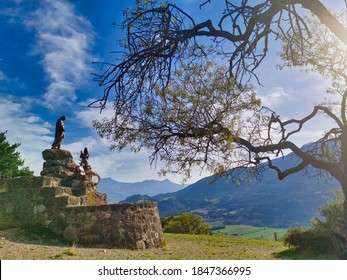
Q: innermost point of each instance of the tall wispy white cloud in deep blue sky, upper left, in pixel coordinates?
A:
(63, 40)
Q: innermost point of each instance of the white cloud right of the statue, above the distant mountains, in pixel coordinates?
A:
(123, 166)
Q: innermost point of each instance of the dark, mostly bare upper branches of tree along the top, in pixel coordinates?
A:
(159, 35)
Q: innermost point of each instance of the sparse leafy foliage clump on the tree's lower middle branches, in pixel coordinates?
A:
(193, 122)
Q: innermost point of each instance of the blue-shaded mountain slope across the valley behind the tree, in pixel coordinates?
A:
(268, 202)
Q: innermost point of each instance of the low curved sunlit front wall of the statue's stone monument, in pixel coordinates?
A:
(115, 225)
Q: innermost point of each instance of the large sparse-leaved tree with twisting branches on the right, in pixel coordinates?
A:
(166, 97)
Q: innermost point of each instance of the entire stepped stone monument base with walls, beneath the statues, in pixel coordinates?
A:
(69, 204)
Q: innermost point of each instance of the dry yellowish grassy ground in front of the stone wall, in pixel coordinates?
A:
(15, 245)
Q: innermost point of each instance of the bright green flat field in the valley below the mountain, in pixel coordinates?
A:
(251, 232)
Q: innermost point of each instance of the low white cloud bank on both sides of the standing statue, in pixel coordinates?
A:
(36, 135)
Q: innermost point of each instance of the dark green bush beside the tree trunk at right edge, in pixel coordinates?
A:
(318, 238)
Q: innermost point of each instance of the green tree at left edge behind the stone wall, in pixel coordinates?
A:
(11, 164)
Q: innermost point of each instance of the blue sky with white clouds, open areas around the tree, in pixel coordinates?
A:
(47, 50)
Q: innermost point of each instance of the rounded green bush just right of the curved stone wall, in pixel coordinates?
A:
(186, 223)
